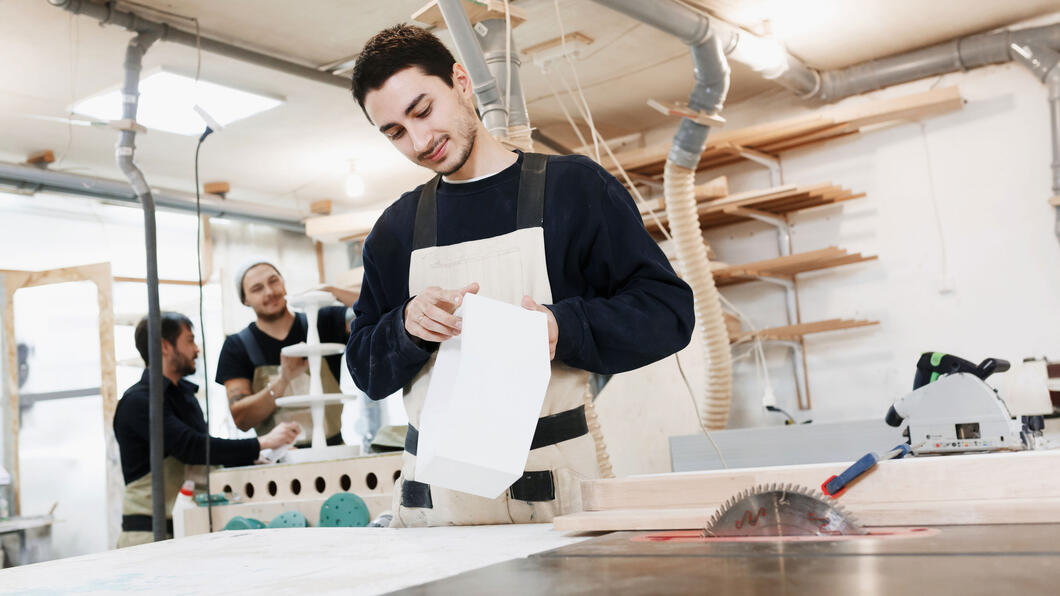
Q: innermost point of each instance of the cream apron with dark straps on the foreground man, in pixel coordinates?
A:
(506, 268)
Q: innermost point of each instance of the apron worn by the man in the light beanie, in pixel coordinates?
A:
(266, 374)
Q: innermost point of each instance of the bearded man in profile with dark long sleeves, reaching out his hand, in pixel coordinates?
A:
(185, 432)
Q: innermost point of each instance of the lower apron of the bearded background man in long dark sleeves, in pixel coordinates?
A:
(137, 506)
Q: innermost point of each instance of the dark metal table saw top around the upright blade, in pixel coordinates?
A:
(995, 559)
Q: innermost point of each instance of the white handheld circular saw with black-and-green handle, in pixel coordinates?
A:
(952, 410)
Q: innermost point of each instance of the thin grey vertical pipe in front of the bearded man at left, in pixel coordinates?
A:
(127, 150)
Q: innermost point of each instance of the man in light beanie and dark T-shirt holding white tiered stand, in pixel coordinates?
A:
(254, 372)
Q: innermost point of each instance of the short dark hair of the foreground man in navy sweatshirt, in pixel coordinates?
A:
(395, 49)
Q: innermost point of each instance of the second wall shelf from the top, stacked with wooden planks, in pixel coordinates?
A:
(773, 202)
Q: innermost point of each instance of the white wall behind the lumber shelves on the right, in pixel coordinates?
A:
(957, 212)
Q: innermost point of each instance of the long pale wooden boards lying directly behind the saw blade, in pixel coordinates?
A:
(1000, 488)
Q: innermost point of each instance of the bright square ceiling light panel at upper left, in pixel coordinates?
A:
(167, 102)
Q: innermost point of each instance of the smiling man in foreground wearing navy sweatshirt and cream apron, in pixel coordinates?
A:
(558, 235)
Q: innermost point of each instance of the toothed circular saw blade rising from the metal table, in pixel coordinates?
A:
(779, 511)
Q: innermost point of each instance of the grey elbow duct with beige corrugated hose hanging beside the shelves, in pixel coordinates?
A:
(712, 75)
